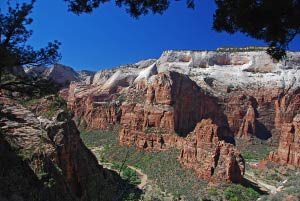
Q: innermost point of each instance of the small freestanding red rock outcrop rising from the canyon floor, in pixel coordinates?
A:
(209, 156)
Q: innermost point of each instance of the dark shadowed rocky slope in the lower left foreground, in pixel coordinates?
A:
(46, 160)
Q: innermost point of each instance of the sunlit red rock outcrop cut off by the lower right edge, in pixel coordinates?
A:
(288, 150)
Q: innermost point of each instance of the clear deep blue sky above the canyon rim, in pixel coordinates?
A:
(110, 37)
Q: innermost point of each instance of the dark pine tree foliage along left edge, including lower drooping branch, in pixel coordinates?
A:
(14, 52)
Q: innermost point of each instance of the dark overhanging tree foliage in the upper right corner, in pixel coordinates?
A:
(275, 22)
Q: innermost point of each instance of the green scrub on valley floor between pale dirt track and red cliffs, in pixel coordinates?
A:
(161, 167)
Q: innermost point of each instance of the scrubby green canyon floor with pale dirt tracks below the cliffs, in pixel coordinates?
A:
(167, 181)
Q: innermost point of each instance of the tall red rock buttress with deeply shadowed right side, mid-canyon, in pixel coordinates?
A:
(173, 106)
